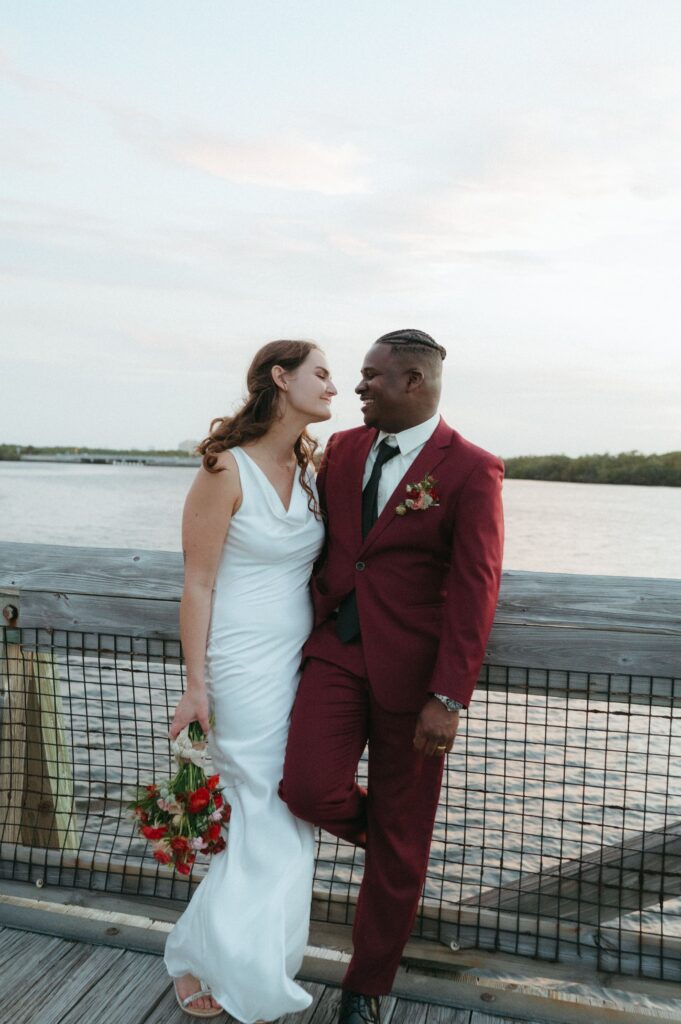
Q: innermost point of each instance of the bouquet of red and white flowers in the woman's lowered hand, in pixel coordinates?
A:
(185, 817)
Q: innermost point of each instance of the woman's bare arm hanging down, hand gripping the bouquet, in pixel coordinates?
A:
(212, 501)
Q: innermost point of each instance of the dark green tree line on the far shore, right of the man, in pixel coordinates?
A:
(628, 467)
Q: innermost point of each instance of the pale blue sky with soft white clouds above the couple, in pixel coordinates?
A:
(186, 182)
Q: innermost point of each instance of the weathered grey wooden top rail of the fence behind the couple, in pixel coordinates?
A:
(591, 624)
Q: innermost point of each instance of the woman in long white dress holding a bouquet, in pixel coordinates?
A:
(251, 532)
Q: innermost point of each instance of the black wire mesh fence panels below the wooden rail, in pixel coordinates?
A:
(559, 833)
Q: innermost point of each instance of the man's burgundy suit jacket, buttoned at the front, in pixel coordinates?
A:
(427, 582)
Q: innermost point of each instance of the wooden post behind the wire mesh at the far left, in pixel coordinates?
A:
(36, 775)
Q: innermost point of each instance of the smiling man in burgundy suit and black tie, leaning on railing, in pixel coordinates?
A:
(404, 601)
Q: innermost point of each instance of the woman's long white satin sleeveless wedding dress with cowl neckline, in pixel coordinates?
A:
(245, 930)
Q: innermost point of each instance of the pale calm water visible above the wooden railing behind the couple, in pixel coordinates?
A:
(551, 528)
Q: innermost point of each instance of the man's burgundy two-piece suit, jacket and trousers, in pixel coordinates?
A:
(427, 585)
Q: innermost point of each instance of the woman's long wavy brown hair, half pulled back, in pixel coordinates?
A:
(261, 411)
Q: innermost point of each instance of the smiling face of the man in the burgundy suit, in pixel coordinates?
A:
(386, 401)
